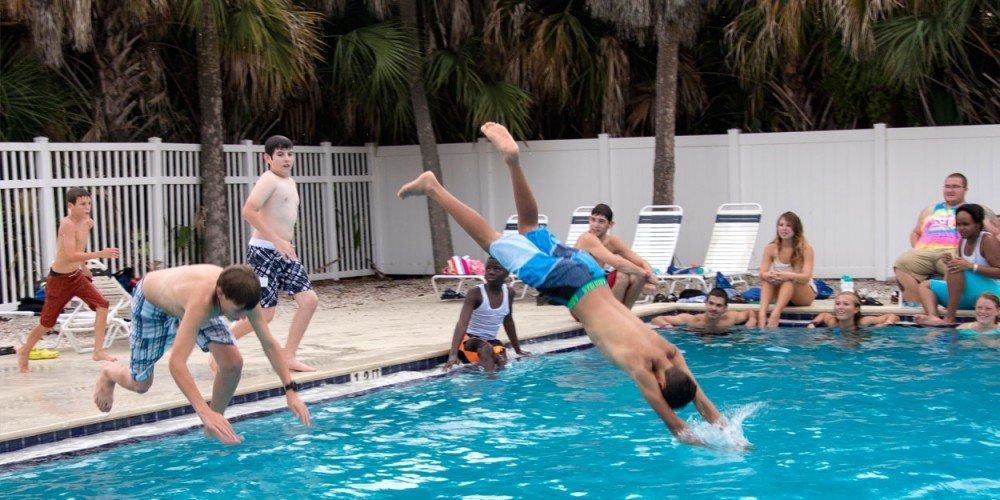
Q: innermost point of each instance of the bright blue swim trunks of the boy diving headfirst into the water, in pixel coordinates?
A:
(561, 273)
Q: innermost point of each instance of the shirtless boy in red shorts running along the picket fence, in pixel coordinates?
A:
(69, 277)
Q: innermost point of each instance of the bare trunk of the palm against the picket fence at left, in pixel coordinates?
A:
(213, 169)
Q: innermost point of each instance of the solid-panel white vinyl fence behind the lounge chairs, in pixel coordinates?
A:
(858, 192)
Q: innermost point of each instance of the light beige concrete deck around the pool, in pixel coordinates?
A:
(58, 394)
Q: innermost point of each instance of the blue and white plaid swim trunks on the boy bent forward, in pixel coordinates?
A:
(153, 330)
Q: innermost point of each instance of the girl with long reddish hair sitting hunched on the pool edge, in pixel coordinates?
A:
(786, 270)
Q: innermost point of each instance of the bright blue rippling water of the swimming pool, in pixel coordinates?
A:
(888, 414)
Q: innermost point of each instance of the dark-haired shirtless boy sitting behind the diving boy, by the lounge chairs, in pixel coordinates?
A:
(626, 287)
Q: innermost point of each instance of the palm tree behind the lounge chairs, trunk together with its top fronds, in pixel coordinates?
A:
(672, 22)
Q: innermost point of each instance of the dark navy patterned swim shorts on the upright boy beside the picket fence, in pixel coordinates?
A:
(275, 272)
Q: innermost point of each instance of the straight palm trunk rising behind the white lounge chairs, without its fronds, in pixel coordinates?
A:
(667, 48)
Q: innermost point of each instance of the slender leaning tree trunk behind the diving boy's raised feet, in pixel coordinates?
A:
(441, 246)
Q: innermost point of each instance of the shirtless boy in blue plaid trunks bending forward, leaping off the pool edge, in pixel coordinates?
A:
(184, 305)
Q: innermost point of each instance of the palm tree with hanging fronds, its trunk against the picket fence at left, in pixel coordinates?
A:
(269, 48)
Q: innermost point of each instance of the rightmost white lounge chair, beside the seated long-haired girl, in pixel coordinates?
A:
(731, 247)
